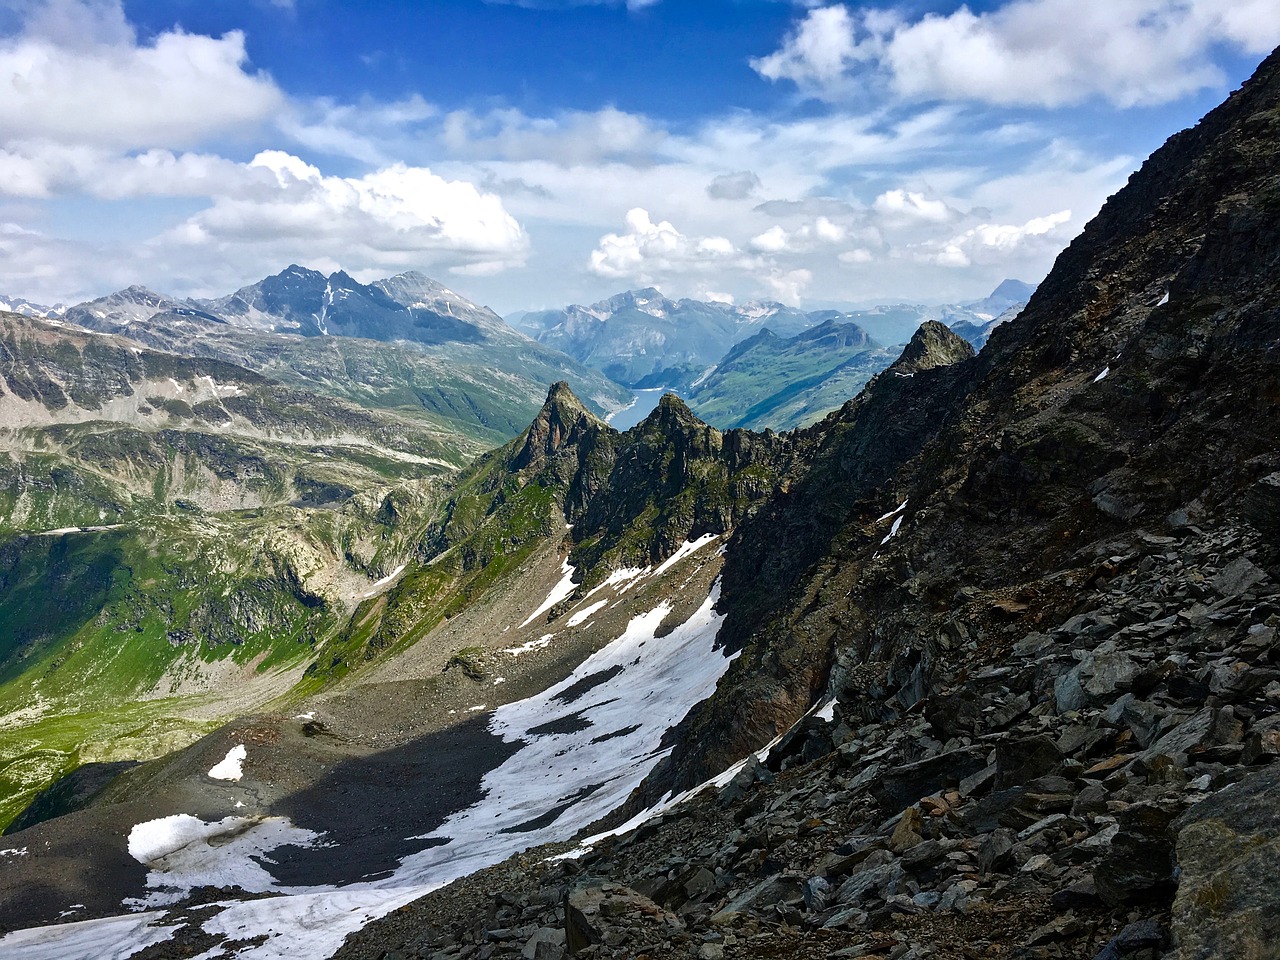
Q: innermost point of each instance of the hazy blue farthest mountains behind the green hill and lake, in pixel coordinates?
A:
(644, 340)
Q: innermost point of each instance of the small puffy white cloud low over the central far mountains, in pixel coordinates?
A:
(651, 250)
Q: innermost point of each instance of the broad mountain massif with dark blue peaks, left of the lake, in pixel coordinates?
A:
(405, 344)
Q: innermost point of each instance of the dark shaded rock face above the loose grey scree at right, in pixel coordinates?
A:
(1104, 408)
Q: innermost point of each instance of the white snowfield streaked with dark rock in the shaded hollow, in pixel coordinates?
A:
(588, 743)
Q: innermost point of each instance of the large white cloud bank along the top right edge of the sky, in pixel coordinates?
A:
(1041, 53)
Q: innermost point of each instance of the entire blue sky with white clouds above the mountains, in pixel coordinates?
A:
(538, 153)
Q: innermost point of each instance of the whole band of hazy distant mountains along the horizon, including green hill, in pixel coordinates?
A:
(410, 345)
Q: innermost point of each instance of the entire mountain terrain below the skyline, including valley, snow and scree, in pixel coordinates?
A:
(339, 621)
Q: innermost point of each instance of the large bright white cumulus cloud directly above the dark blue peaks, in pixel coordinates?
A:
(399, 216)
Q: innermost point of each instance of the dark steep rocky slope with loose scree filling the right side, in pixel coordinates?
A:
(1040, 604)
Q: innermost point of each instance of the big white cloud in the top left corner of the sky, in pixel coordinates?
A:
(79, 75)
